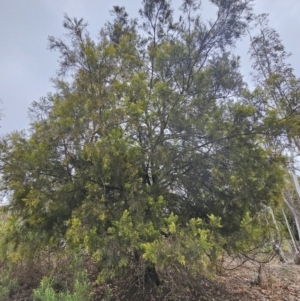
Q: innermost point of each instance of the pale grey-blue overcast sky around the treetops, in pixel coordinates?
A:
(26, 65)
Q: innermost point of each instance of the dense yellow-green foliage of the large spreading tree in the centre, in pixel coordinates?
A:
(152, 152)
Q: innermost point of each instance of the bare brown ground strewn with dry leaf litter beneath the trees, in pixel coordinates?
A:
(279, 282)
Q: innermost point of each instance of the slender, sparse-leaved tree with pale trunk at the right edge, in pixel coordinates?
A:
(279, 104)
